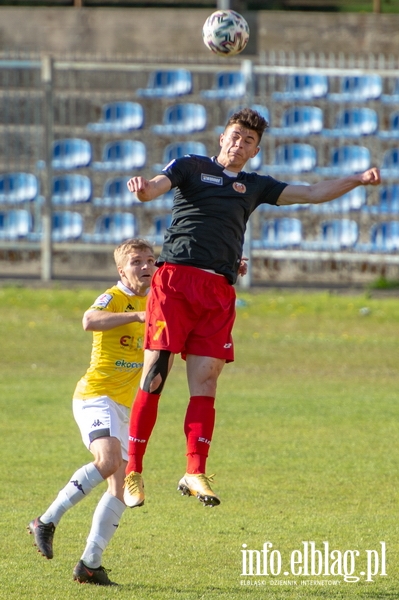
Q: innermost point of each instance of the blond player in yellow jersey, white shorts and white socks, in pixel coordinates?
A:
(101, 406)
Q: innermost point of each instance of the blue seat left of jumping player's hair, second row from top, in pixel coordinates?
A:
(182, 118)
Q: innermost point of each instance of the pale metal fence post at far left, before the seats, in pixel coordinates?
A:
(48, 111)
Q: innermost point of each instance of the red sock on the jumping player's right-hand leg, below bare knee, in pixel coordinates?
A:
(198, 427)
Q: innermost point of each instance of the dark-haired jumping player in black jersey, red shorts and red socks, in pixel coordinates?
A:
(191, 308)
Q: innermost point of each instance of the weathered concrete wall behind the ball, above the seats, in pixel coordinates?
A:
(177, 32)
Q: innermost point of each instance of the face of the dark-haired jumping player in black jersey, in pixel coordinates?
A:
(238, 145)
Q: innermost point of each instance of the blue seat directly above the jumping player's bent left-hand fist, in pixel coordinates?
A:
(122, 155)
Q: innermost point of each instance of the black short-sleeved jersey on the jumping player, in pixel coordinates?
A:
(210, 213)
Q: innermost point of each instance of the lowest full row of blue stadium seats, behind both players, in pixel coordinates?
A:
(283, 232)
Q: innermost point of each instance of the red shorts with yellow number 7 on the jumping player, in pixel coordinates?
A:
(190, 311)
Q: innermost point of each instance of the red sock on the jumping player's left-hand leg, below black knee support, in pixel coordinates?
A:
(142, 420)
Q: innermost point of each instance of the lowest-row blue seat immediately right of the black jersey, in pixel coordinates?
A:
(280, 233)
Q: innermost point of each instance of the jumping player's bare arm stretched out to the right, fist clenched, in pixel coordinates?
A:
(324, 191)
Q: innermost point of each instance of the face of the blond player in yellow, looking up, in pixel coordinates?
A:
(138, 270)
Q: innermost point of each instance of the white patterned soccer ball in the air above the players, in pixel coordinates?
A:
(225, 32)
